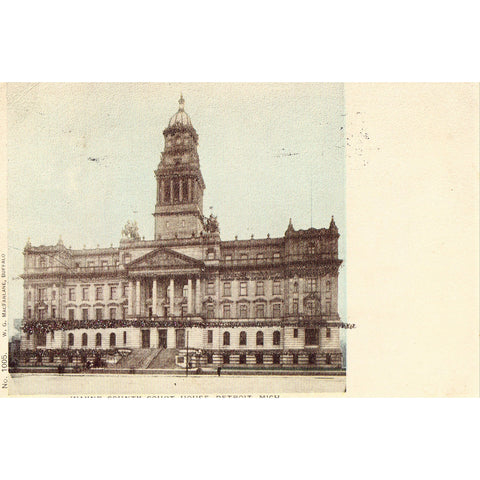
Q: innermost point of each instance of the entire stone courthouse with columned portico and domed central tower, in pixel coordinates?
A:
(185, 297)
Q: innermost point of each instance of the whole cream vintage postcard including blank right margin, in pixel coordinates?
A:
(218, 239)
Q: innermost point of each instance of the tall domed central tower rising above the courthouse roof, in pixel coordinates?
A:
(180, 185)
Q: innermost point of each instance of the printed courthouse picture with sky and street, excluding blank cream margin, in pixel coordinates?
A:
(177, 238)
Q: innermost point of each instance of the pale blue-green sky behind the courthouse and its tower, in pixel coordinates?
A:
(244, 131)
